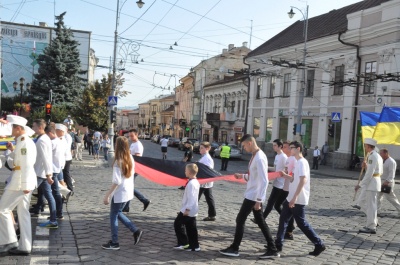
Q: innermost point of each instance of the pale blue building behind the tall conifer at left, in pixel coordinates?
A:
(21, 44)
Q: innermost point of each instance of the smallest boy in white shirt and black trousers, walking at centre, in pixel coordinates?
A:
(188, 240)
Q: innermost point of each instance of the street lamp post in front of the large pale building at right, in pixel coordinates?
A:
(302, 89)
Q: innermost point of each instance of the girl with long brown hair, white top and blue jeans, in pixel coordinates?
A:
(121, 191)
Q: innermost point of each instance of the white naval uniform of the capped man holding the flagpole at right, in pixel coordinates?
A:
(371, 184)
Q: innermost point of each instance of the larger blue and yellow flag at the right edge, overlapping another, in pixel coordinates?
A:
(387, 130)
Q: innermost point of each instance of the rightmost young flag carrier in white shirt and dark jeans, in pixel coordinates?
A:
(299, 194)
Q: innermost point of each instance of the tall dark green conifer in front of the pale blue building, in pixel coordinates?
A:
(59, 69)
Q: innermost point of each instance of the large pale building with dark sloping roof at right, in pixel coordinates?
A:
(351, 54)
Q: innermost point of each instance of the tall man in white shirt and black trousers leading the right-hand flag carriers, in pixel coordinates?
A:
(255, 194)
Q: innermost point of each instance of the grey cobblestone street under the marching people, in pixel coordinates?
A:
(86, 226)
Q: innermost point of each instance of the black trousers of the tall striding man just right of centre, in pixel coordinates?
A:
(244, 212)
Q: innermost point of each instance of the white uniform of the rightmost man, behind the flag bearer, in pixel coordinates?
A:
(389, 170)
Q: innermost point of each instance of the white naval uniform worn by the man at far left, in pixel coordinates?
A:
(23, 178)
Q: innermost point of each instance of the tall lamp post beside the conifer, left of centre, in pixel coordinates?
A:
(113, 84)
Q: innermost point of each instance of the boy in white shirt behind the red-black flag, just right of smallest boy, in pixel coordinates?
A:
(206, 188)
